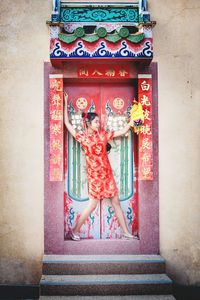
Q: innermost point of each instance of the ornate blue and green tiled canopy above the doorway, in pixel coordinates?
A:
(96, 30)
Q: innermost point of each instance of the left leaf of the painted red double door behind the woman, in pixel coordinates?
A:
(76, 188)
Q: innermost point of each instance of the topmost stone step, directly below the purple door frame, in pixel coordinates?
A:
(102, 264)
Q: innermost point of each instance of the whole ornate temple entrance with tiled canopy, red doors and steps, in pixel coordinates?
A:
(101, 56)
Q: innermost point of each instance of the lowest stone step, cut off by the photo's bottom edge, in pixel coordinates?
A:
(152, 297)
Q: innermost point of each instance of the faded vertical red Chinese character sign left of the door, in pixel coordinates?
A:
(56, 127)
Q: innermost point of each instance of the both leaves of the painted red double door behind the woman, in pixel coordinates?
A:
(112, 102)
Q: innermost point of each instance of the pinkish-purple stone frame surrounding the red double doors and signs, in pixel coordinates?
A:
(148, 193)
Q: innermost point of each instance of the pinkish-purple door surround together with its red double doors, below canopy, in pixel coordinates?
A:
(66, 198)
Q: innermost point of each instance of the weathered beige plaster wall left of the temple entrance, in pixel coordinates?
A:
(24, 46)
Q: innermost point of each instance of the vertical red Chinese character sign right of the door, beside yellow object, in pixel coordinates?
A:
(145, 136)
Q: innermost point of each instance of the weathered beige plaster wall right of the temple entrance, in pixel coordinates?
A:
(176, 45)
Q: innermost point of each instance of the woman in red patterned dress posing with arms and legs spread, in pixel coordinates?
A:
(101, 183)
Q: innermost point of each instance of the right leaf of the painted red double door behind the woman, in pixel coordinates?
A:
(116, 100)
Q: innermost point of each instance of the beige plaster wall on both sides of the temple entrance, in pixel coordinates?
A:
(24, 44)
